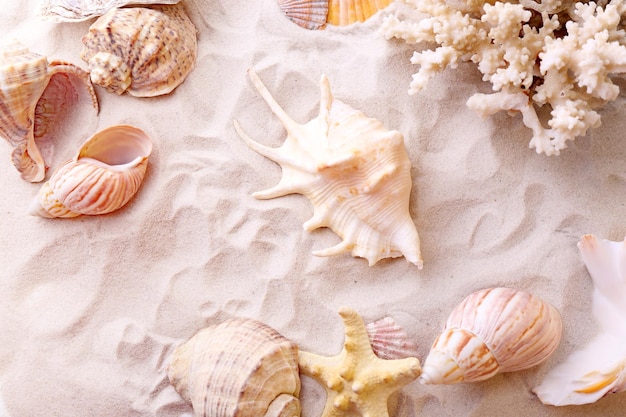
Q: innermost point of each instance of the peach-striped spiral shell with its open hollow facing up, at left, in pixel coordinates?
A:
(105, 174)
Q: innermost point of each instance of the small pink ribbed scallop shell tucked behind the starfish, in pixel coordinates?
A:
(389, 340)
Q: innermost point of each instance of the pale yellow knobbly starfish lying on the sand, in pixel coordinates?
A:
(356, 379)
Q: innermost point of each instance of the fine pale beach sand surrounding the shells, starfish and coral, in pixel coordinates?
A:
(92, 307)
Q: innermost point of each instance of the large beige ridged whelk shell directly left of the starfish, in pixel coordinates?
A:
(238, 368)
